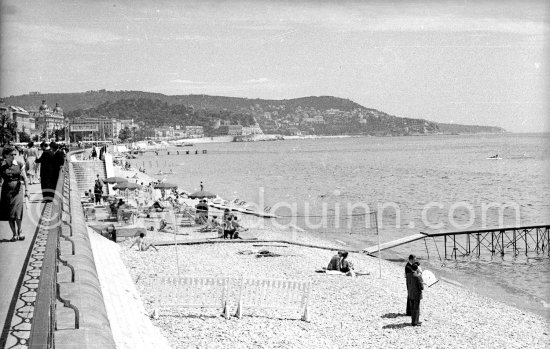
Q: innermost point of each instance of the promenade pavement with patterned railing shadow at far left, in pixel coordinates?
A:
(15, 312)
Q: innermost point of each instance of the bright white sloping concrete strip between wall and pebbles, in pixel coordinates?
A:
(129, 321)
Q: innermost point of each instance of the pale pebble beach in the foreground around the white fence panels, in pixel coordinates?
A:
(365, 305)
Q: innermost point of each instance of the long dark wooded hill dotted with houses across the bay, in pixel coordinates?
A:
(324, 115)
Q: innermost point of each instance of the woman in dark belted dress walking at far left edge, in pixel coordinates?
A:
(11, 198)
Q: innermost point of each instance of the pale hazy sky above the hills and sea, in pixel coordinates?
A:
(464, 62)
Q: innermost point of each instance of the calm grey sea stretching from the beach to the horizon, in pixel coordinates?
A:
(361, 190)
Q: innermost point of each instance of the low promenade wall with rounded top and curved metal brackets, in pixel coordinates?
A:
(70, 310)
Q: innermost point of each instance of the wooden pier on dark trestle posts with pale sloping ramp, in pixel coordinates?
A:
(514, 240)
